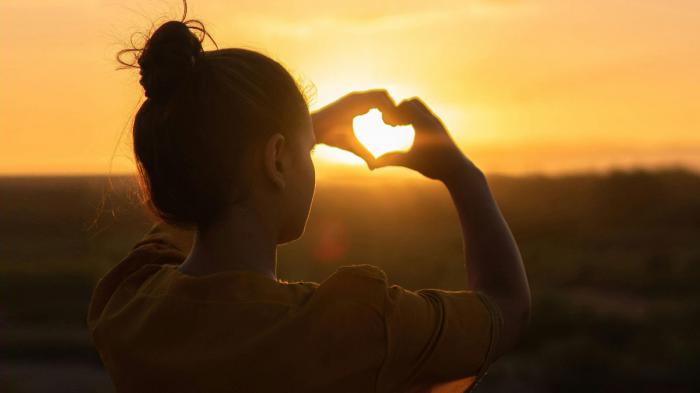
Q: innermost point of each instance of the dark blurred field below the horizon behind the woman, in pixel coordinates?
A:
(613, 260)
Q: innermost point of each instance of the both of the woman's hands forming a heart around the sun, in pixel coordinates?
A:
(356, 123)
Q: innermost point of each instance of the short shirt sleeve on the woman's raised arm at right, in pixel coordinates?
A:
(437, 340)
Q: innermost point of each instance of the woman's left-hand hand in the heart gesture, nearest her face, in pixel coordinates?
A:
(333, 123)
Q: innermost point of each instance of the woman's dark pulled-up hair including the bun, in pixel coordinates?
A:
(205, 113)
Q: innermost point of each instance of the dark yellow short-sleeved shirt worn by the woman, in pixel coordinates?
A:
(159, 330)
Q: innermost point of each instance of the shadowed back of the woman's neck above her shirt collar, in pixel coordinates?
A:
(240, 241)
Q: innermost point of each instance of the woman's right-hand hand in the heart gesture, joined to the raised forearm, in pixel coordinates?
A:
(434, 154)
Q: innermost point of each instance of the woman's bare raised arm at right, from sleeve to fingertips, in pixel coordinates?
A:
(493, 261)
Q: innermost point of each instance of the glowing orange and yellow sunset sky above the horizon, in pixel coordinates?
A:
(523, 86)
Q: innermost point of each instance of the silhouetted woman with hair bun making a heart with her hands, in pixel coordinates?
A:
(223, 144)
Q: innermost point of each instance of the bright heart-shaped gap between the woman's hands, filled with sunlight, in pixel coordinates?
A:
(380, 138)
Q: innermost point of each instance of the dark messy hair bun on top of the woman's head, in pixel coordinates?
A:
(169, 57)
